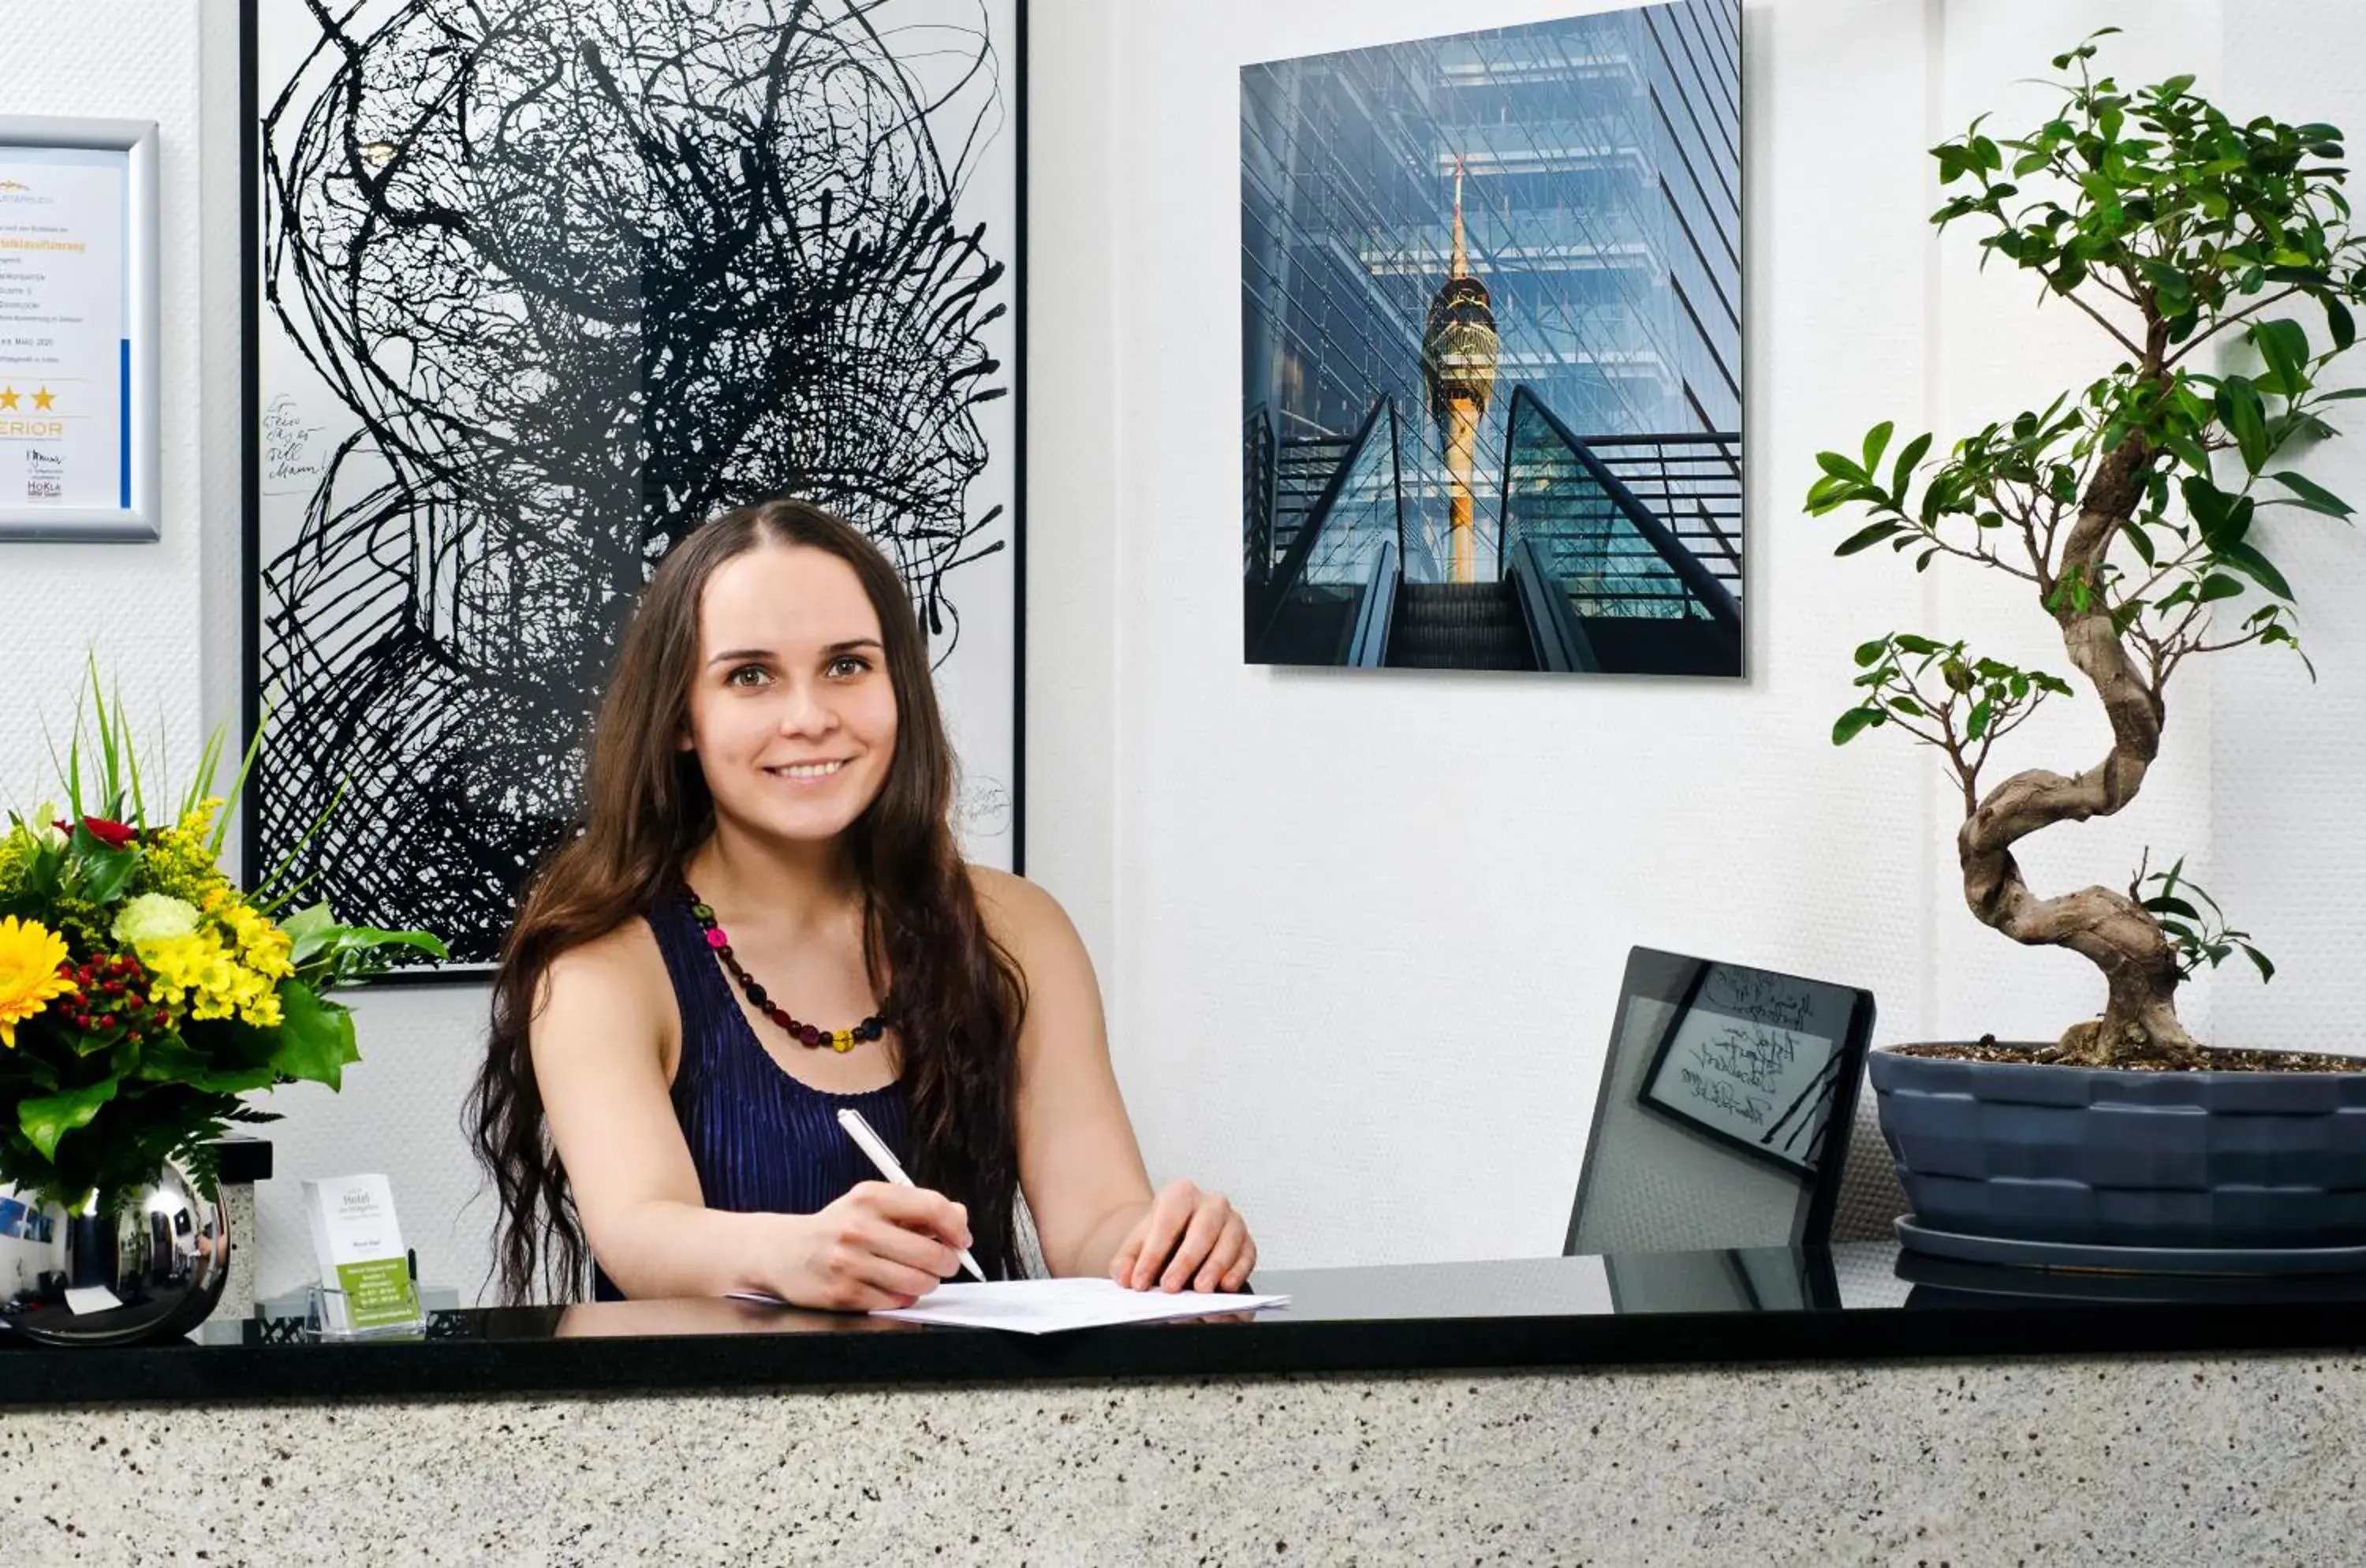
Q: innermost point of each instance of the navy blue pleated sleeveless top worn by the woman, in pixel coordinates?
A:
(761, 1139)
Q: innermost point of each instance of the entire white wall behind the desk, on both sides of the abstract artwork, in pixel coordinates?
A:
(1362, 933)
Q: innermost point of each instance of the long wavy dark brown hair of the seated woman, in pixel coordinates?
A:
(952, 990)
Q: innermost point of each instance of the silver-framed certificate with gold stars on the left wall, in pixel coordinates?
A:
(77, 330)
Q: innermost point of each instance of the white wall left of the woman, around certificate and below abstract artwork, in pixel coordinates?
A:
(164, 618)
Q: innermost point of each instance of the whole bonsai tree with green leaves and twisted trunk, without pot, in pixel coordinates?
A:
(2126, 507)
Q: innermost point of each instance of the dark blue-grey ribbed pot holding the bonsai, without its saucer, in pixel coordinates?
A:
(2112, 1158)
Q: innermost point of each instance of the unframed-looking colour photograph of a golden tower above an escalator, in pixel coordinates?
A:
(1492, 349)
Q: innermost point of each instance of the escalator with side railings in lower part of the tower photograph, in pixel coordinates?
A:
(1615, 555)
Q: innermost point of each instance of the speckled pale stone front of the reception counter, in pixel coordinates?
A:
(2164, 1460)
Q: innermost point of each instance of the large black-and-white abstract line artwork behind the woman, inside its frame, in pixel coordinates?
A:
(534, 287)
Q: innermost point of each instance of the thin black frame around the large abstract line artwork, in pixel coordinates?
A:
(252, 451)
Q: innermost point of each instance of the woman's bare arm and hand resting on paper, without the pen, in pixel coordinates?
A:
(1080, 1165)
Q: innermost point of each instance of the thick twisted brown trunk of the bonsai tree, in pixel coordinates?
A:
(2105, 926)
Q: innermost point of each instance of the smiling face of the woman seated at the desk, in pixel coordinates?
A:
(791, 711)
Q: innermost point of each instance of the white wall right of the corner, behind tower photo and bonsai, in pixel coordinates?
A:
(1371, 926)
